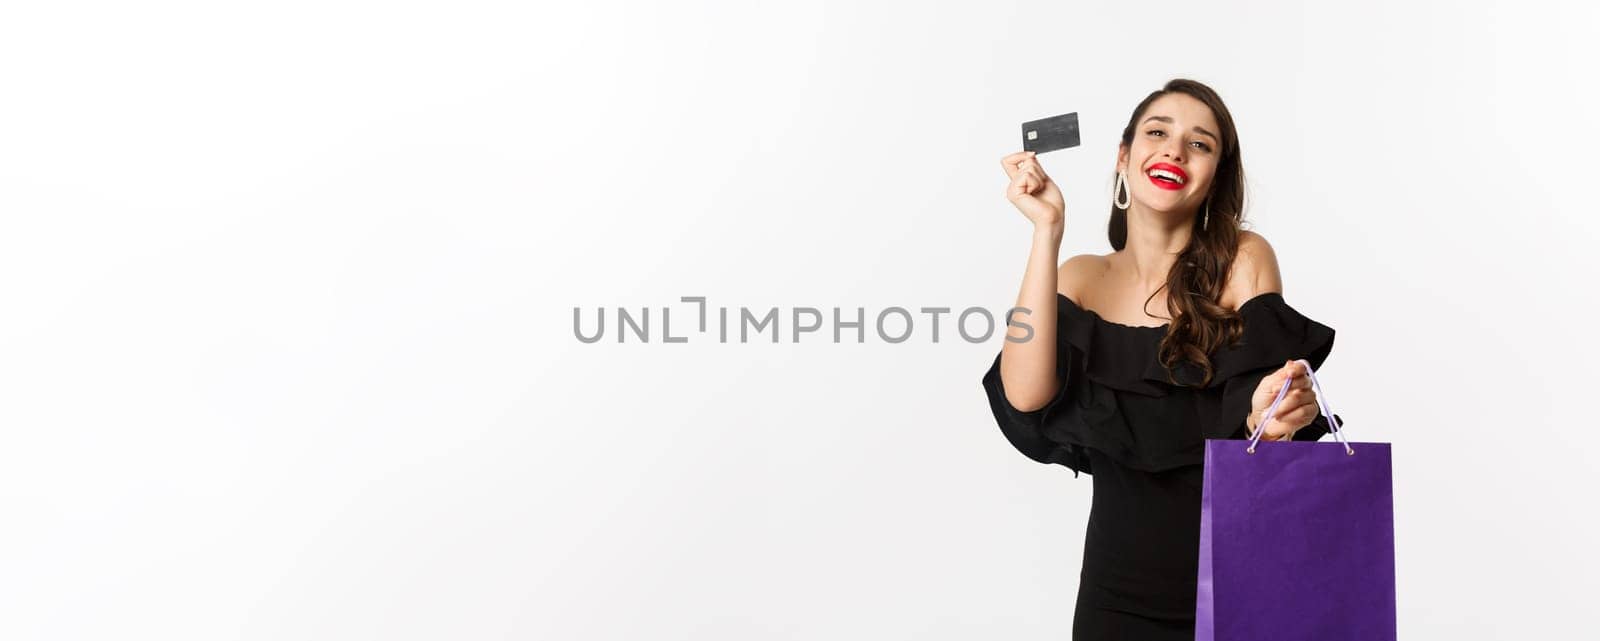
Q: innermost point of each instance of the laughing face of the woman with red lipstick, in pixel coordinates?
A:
(1174, 157)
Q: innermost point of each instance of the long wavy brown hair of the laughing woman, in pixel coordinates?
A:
(1194, 285)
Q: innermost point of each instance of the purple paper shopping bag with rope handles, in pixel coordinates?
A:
(1297, 539)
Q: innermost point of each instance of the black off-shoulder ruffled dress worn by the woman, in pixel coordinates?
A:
(1142, 437)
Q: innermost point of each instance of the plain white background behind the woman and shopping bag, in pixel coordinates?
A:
(287, 297)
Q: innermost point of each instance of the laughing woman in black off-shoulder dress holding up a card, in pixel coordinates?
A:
(1094, 386)
